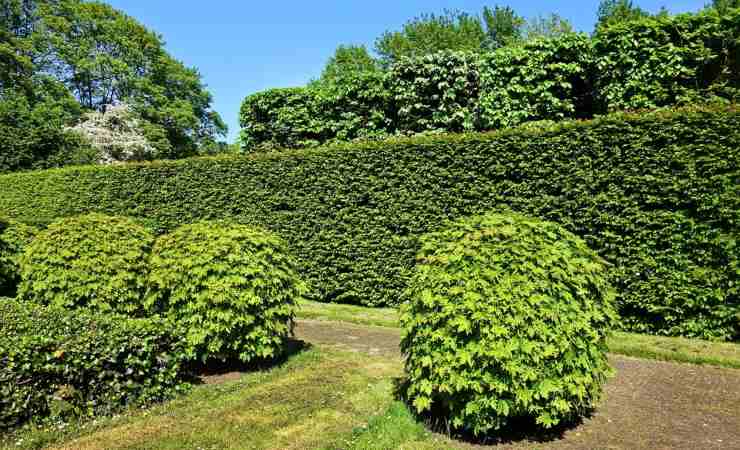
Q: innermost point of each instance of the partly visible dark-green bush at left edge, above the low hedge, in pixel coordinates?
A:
(14, 237)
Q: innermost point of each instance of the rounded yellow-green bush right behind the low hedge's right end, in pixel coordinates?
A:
(233, 287)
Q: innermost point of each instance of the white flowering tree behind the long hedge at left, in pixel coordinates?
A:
(117, 135)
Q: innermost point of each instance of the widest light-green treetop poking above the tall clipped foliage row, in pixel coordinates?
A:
(430, 33)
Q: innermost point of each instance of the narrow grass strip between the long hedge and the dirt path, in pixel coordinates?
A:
(674, 349)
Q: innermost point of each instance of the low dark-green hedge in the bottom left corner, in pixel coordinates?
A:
(62, 364)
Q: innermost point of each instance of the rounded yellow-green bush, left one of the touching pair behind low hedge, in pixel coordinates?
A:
(92, 261)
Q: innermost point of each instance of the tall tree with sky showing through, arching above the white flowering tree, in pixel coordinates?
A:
(105, 57)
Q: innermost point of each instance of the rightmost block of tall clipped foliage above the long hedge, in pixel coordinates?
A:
(665, 60)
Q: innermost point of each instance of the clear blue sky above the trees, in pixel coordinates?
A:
(243, 46)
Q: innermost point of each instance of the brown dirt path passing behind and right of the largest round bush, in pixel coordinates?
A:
(649, 404)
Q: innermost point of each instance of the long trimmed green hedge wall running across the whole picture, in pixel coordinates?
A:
(657, 195)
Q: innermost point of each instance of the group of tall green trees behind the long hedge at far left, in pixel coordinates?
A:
(63, 60)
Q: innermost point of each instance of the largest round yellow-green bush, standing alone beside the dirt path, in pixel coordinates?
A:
(506, 318)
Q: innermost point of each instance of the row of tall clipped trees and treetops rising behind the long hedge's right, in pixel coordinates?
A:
(457, 73)
